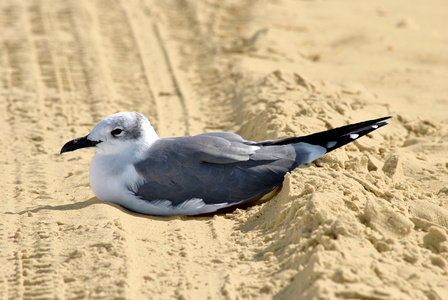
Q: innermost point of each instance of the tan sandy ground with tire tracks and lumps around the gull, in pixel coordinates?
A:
(368, 221)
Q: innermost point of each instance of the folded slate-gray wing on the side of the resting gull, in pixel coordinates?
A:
(216, 167)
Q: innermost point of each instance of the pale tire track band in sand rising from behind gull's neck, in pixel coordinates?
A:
(141, 72)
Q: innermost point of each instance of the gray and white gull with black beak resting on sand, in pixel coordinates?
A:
(198, 174)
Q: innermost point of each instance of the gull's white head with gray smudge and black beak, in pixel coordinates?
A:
(118, 133)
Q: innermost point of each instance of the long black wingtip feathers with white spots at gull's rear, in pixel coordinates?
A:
(333, 138)
